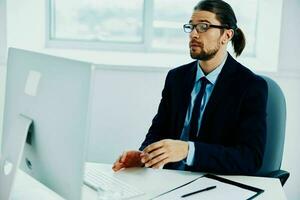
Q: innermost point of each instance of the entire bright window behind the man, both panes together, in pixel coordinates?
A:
(150, 25)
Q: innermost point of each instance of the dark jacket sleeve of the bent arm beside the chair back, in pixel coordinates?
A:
(247, 155)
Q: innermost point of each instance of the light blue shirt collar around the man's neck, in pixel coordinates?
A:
(212, 76)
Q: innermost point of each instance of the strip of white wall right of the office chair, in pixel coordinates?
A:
(289, 62)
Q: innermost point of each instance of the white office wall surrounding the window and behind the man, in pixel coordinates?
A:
(129, 97)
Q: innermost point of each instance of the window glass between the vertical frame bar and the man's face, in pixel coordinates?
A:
(168, 19)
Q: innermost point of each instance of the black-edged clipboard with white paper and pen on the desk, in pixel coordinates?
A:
(177, 192)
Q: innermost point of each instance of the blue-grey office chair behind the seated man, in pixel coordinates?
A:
(276, 118)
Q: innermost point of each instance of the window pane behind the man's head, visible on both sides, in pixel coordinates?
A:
(169, 18)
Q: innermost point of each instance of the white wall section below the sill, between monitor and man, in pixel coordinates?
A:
(124, 104)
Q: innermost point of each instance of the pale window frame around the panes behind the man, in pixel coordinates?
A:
(258, 61)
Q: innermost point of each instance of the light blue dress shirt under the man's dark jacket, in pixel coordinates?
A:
(212, 78)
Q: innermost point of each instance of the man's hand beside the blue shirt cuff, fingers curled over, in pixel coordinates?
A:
(164, 151)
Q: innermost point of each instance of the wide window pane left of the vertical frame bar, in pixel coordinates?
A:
(91, 20)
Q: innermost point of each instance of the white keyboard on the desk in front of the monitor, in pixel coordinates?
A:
(97, 180)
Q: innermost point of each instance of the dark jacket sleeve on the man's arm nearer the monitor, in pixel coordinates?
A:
(158, 129)
